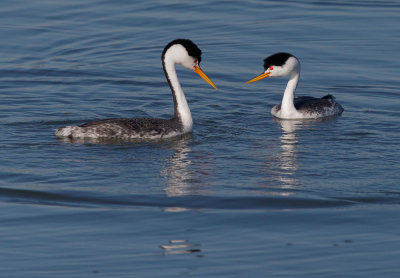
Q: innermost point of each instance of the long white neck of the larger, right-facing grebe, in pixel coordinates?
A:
(181, 107)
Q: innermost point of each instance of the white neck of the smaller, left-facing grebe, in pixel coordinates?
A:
(287, 106)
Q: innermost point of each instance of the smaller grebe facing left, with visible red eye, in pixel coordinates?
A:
(305, 107)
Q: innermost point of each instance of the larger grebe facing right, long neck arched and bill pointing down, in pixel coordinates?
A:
(180, 51)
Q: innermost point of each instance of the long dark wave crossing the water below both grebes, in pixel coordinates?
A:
(88, 199)
